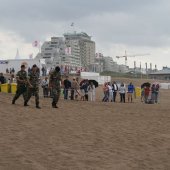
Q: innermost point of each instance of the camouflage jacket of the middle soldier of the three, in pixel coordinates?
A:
(34, 79)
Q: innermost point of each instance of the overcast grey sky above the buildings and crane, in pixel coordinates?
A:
(137, 26)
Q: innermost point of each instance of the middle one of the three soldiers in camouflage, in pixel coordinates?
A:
(33, 80)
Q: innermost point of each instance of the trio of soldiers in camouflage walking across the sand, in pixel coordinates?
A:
(28, 85)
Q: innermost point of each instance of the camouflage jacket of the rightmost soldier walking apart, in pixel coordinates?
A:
(55, 78)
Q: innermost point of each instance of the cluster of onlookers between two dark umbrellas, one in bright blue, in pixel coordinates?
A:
(110, 91)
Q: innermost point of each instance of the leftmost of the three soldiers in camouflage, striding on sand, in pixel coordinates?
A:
(21, 84)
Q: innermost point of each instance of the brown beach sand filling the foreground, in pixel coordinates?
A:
(85, 135)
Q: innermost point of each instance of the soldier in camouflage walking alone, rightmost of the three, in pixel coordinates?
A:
(54, 84)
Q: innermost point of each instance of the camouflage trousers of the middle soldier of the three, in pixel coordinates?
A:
(30, 92)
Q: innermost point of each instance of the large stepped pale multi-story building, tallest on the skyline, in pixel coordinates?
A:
(74, 50)
